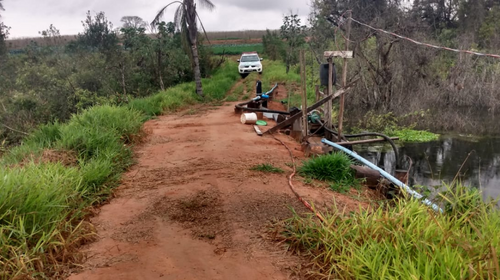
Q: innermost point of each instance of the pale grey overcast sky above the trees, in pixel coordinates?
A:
(27, 17)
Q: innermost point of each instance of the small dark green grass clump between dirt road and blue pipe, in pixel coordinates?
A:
(332, 168)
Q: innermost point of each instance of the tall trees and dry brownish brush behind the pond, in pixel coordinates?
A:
(458, 92)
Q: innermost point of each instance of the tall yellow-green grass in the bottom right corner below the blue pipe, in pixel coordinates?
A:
(404, 241)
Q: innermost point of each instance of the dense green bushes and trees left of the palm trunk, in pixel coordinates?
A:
(51, 82)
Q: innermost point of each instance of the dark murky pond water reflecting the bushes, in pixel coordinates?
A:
(440, 161)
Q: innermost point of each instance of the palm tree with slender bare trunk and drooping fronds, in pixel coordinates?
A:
(185, 19)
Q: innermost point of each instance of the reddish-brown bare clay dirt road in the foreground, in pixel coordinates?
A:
(191, 208)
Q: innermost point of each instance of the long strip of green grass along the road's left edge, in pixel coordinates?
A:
(42, 204)
